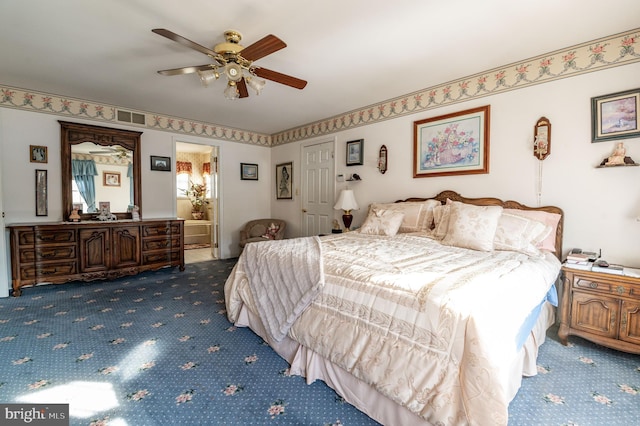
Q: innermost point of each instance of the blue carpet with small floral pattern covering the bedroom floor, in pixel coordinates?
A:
(157, 349)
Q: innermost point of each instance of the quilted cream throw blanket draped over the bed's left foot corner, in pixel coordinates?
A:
(285, 275)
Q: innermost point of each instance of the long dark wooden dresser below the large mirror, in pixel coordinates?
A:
(86, 251)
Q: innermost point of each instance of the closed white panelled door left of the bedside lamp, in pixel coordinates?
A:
(318, 167)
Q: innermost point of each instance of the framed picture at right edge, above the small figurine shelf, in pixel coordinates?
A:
(615, 116)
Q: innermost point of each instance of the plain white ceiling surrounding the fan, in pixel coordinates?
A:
(353, 53)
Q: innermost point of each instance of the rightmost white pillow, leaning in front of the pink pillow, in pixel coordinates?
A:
(518, 233)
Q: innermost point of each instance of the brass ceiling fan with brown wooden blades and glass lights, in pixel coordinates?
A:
(234, 61)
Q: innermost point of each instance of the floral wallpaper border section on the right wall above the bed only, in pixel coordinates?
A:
(592, 56)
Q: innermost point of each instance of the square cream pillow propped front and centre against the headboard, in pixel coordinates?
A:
(472, 226)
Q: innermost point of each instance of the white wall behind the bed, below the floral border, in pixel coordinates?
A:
(600, 204)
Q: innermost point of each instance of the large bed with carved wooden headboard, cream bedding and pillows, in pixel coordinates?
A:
(430, 313)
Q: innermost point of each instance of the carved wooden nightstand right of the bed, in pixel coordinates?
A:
(600, 307)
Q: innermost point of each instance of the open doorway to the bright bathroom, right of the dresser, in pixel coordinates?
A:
(197, 198)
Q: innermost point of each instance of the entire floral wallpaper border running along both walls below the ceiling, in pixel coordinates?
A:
(607, 52)
